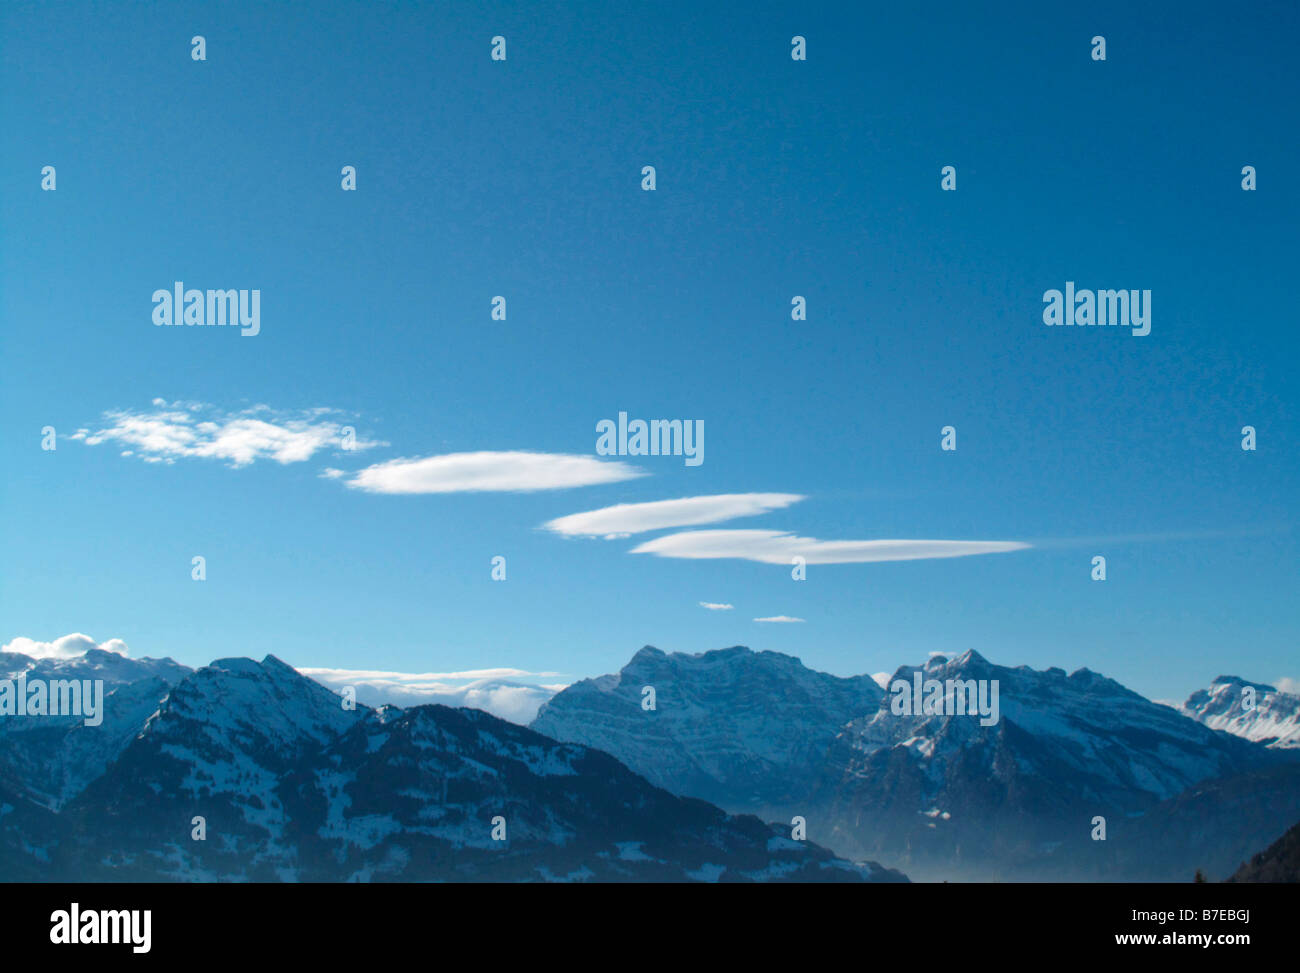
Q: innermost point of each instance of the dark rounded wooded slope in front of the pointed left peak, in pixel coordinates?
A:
(415, 795)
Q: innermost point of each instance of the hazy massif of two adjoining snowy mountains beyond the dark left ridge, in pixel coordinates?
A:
(943, 795)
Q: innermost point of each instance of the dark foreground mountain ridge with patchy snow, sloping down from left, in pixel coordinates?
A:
(294, 788)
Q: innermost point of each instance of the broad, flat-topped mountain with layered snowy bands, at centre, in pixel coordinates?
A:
(746, 730)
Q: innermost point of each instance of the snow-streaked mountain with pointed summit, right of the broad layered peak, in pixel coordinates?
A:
(943, 795)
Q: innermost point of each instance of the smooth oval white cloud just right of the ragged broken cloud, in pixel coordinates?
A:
(509, 472)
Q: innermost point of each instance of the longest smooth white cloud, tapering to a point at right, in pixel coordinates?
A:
(781, 547)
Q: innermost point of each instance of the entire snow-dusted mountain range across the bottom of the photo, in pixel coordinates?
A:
(292, 785)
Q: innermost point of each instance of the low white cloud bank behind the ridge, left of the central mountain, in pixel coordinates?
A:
(491, 690)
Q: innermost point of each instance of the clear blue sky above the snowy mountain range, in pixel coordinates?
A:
(775, 179)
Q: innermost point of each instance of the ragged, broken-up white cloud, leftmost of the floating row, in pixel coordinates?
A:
(171, 431)
